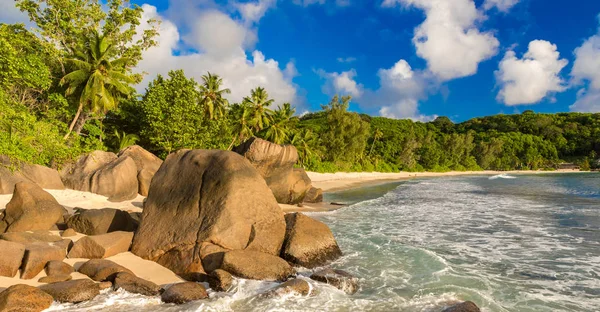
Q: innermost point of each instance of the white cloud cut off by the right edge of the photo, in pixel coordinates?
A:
(586, 69)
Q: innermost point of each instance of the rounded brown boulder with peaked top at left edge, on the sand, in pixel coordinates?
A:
(31, 208)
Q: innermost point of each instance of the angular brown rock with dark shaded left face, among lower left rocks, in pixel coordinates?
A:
(37, 256)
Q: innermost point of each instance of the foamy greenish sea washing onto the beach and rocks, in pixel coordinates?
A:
(507, 242)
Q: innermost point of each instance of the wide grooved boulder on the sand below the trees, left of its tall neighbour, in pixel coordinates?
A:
(103, 173)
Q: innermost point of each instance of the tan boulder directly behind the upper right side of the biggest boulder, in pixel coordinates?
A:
(275, 163)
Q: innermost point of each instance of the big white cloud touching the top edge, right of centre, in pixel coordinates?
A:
(449, 39)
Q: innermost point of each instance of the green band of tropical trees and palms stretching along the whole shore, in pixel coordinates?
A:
(67, 88)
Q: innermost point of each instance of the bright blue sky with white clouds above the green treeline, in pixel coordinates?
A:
(415, 59)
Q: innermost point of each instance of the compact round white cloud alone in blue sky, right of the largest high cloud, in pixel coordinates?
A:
(530, 79)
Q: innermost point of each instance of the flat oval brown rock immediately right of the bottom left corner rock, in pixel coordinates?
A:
(74, 291)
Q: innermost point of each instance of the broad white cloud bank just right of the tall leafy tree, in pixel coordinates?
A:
(222, 43)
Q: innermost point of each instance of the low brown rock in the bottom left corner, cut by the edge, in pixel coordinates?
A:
(24, 298)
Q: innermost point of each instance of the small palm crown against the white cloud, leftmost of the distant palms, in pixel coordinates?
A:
(212, 96)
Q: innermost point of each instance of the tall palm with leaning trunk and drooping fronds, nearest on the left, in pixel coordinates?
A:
(97, 81)
